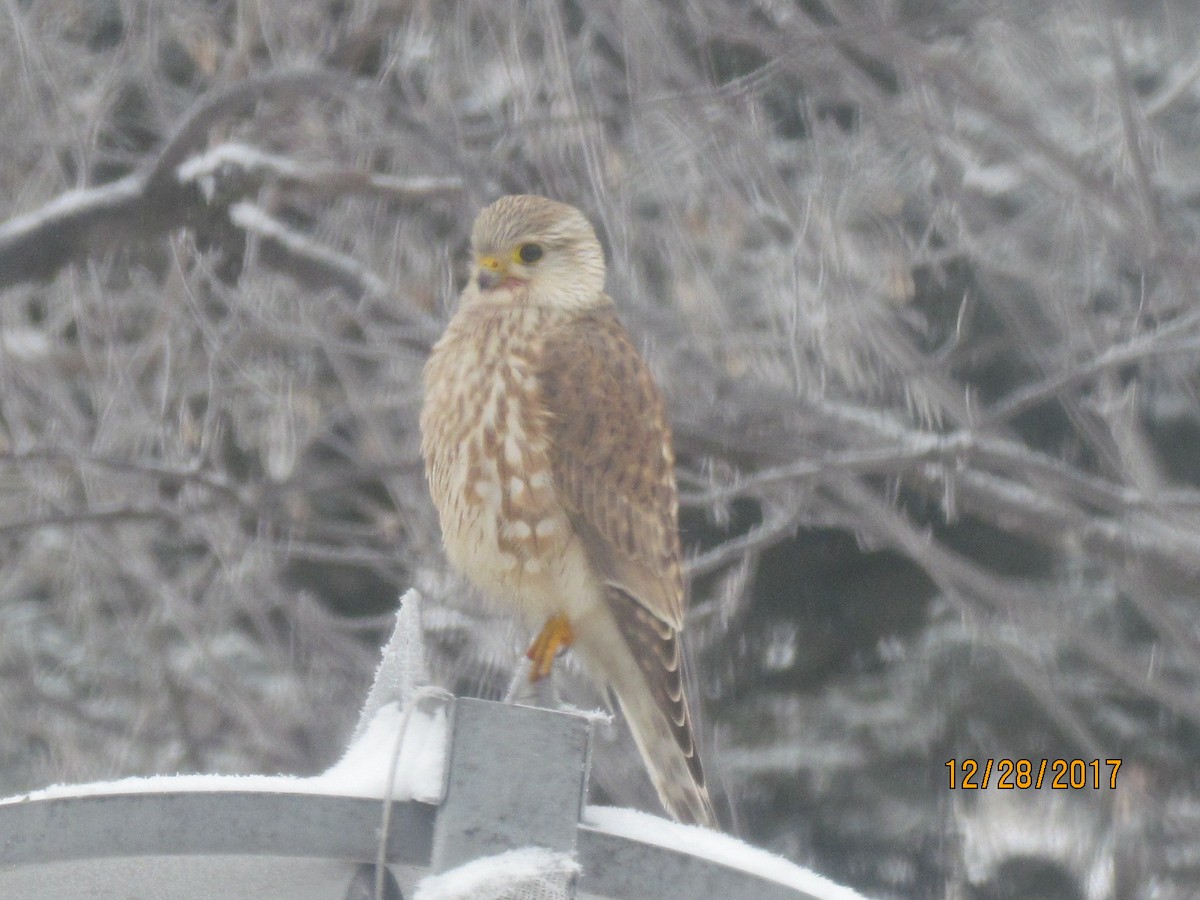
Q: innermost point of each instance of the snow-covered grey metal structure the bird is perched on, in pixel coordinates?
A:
(493, 779)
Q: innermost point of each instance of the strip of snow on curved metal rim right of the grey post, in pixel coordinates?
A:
(715, 847)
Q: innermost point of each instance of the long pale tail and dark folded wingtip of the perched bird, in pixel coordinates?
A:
(641, 659)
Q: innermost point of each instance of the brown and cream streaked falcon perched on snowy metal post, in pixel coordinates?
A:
(550, 461)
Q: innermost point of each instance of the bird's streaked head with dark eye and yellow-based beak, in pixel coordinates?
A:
(531, 250)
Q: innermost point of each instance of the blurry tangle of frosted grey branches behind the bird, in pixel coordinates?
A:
(919, 278)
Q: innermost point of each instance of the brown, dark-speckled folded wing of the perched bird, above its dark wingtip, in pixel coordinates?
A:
(613, 460)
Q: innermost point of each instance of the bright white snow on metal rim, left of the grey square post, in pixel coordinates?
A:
(363, 772)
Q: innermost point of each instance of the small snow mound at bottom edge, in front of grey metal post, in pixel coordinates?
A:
(530, 872)
